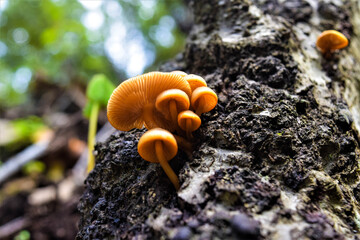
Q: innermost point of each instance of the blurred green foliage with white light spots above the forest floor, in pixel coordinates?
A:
(66, 41)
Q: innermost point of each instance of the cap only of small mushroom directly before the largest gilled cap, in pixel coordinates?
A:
(181, 99)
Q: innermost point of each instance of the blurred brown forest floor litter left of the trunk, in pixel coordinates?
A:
(39, 201)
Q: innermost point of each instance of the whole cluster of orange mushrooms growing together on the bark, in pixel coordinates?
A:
(161, 102)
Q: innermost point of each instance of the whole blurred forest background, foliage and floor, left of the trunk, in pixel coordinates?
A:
(49, 51)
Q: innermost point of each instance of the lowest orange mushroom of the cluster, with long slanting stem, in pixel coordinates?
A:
(159, 146)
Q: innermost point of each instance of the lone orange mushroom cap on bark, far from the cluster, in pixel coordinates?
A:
(331, 40)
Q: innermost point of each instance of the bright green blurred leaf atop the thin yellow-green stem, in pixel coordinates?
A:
(99, 89)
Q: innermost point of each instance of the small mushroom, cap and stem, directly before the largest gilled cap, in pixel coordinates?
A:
(171, 102)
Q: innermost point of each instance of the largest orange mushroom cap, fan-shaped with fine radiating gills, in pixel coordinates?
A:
(128, 100)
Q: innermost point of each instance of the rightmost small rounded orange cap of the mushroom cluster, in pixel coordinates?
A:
(204, 95)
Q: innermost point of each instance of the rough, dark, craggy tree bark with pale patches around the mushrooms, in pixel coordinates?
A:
(276, 159)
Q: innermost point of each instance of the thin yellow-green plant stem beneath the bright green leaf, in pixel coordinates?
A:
(91, 135)
